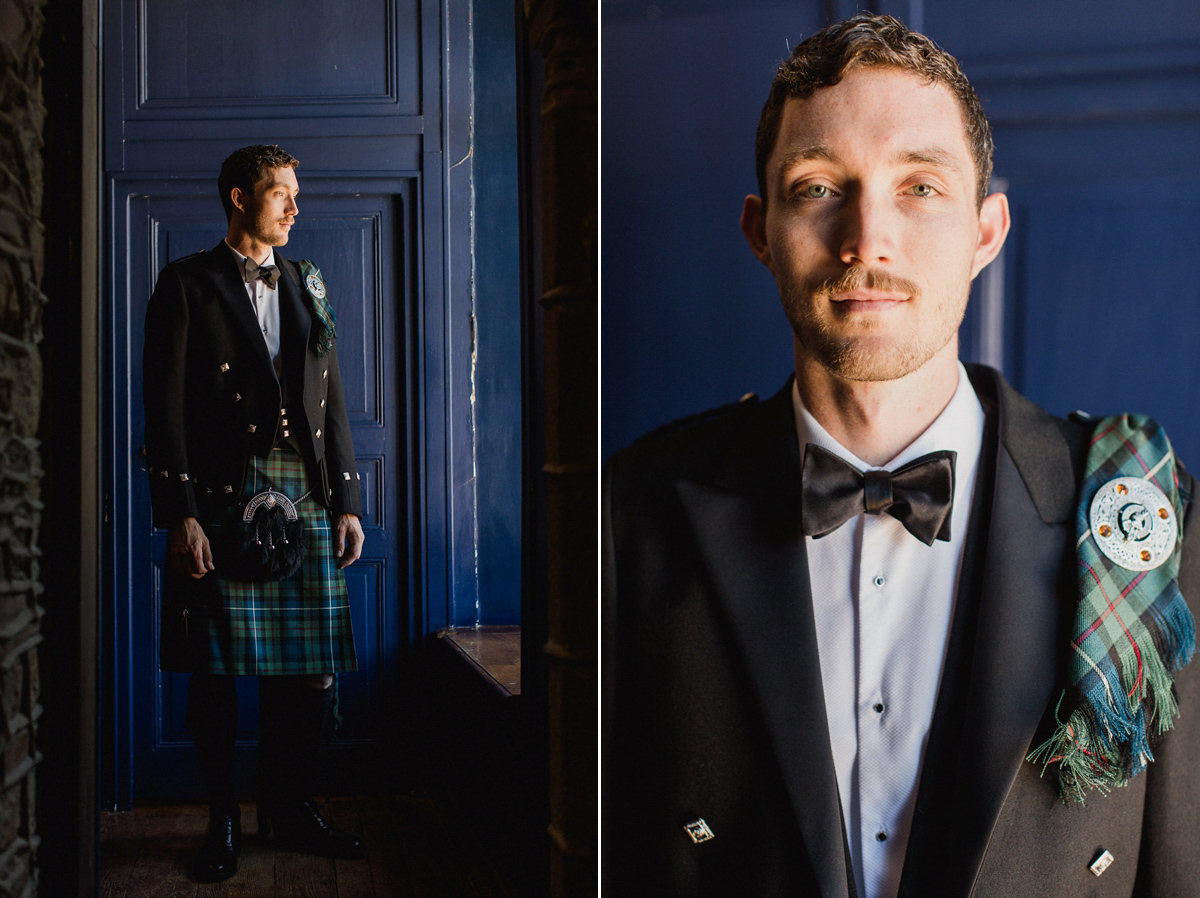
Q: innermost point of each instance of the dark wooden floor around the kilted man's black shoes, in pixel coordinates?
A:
(415, 849)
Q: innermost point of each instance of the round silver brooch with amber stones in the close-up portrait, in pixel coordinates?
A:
(1133, 523)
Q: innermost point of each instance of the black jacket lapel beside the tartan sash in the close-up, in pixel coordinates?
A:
(1017, 648)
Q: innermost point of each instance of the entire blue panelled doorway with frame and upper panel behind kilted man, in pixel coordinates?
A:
(355, 91)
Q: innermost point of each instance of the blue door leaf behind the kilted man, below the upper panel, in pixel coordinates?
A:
(355, 234)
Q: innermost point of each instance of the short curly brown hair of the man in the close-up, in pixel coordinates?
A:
(865, 41)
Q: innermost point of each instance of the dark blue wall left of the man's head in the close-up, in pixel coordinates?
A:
(691, 320)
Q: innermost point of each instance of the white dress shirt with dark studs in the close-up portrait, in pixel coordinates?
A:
(884, 602)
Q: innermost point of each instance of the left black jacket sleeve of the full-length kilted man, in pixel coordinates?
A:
(164, 379)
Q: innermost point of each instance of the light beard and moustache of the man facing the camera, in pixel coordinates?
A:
(866, 356)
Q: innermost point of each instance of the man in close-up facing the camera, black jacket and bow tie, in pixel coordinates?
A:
(826, 680)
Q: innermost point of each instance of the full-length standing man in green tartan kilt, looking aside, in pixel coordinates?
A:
(243, 399)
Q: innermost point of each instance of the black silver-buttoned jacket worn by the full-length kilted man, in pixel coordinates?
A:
(212, 397)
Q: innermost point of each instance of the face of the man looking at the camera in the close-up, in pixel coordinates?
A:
(872, 228)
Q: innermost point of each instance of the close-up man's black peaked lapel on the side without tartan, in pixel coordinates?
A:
(747, 523)
